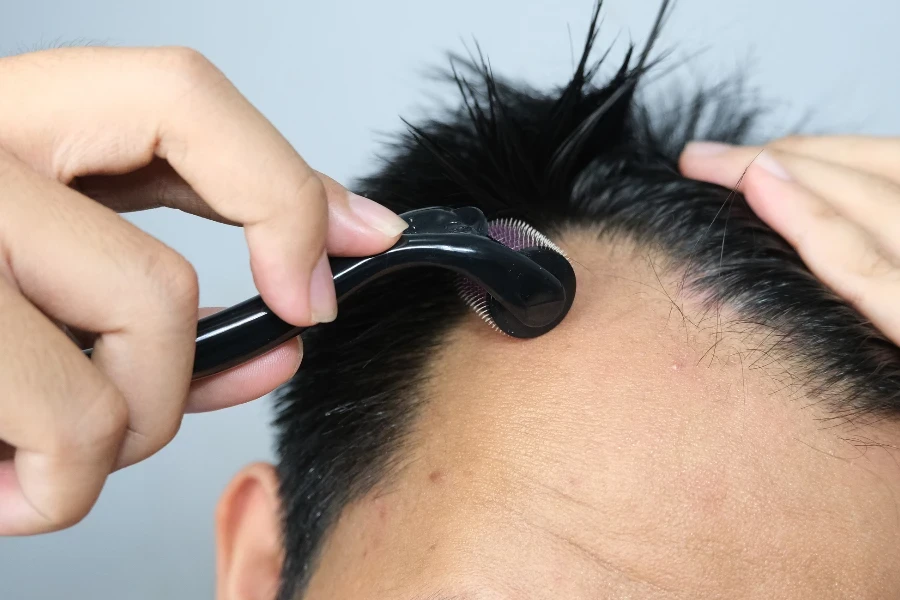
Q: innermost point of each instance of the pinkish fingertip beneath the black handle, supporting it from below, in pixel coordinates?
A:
(245, 382)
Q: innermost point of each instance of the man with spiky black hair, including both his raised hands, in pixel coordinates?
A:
(708, 421)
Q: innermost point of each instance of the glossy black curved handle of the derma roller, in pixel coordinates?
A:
(529, 292)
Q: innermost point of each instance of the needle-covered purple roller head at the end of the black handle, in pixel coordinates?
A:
(527, 240)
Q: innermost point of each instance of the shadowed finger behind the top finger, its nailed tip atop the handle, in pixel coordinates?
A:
(350, 217)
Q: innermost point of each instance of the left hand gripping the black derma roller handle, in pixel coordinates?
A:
(84, 133)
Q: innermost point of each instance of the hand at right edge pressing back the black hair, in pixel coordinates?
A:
(836, 200)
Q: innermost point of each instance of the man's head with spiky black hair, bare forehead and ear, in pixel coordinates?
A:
(709, 421)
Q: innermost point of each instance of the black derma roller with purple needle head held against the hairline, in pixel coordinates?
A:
(511, 275)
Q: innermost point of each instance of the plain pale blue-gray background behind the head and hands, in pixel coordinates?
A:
(334, 75)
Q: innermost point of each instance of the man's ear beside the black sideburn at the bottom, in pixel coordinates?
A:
(248, 536)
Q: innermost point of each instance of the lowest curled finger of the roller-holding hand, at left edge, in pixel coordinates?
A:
(65, 420)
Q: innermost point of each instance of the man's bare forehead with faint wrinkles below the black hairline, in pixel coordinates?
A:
(633, 452)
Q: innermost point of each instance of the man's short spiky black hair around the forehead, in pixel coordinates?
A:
(585, 154)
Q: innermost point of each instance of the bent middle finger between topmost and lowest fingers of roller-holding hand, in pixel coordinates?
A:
(82, 264)
